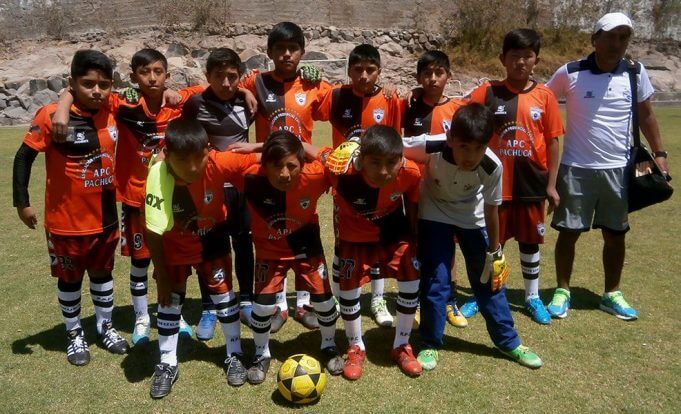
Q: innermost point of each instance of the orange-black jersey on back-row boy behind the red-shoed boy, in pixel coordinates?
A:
(351, 114)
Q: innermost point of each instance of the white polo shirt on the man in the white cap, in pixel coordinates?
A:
(598, 128)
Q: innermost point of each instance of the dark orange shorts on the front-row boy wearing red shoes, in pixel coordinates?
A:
(355, 264)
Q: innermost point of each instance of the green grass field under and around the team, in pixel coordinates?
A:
(593, 361)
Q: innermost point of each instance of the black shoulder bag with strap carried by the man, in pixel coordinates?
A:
(647, 184)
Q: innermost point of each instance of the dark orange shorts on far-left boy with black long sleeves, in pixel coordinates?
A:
(71, 256)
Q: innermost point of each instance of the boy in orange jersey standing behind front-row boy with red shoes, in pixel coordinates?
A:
(351, 109)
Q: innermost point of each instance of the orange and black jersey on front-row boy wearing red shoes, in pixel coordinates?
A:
(364, 213)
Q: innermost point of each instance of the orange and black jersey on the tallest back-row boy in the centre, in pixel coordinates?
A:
(290, 105)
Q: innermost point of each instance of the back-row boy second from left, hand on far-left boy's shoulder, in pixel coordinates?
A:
(142, 123)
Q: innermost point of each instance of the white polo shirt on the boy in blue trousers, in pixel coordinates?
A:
(451, 195)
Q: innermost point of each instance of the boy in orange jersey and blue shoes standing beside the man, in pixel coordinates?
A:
(527, 126)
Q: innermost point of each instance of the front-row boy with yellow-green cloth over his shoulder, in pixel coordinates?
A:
(185, 216)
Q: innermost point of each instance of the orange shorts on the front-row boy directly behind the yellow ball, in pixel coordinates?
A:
(311, 276)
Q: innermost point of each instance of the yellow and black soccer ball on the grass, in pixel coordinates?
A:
(300, 379)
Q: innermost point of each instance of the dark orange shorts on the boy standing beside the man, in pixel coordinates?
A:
(522, 221)
